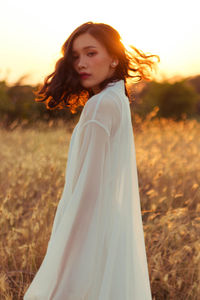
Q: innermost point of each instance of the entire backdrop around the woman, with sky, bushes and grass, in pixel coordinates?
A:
(165, 112)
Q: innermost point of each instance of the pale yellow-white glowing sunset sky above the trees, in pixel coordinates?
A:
(32, 33)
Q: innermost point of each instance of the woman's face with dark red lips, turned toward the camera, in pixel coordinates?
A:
(92, 58)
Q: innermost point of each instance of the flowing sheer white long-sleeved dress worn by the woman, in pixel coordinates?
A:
(97, 250)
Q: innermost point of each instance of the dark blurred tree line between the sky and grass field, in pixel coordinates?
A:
(177, 100)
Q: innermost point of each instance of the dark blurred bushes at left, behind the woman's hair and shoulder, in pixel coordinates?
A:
(17, 103)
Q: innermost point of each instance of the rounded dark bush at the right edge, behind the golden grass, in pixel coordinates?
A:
(174, 100)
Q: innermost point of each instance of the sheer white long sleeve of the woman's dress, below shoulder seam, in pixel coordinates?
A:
(87, 191)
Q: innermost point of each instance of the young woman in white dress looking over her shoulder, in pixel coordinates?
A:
(96, 250)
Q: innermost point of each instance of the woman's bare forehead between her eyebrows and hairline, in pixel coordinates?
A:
(85, 41)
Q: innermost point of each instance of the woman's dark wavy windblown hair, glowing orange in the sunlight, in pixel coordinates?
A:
(62, 88)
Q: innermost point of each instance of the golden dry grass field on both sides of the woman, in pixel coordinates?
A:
(32, 174)
